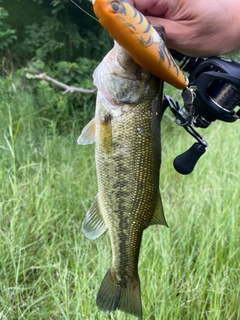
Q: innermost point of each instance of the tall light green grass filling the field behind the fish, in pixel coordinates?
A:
(49, 270)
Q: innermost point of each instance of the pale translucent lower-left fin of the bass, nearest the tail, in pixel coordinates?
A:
(93, 224)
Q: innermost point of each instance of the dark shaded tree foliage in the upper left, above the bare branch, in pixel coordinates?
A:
(52, 31)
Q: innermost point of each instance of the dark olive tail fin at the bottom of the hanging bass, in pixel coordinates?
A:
(112, 296)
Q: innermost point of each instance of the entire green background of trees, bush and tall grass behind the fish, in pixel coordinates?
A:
(48, 270)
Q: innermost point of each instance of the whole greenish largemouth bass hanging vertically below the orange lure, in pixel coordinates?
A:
(126, 133)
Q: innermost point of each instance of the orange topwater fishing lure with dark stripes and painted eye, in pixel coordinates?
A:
(134, 33)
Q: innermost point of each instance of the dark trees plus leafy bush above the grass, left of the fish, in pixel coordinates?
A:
(62, 41)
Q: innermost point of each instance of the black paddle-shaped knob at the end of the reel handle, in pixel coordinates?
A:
(185, 162)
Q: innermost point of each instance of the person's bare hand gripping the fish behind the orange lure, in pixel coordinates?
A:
(196, 28)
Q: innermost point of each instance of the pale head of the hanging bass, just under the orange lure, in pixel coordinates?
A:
(123, 82)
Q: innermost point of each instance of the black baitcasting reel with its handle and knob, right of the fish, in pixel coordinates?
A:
(213, 94)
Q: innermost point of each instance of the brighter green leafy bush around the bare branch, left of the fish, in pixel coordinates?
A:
(51, 100)
